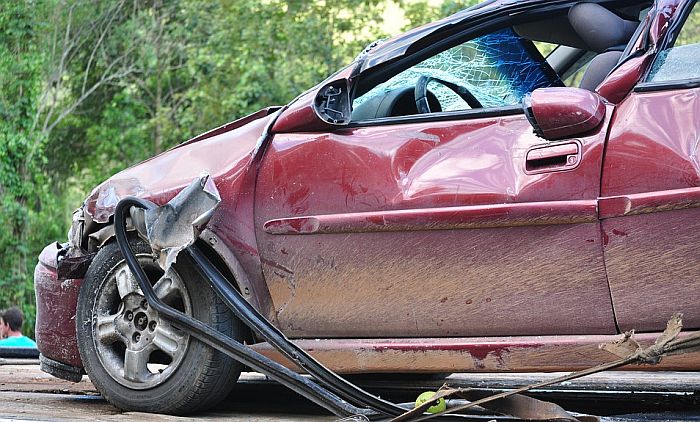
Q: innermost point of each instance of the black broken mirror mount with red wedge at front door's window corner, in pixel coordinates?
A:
(318, 110)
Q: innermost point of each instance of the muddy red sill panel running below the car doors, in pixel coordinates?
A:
(483, 354)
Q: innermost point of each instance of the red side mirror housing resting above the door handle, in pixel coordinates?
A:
(557, 113)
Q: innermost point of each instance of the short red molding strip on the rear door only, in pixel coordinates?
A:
(645, 203)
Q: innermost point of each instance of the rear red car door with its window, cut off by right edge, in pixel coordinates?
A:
(651, 187)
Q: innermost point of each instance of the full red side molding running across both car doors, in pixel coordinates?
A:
(482, 216)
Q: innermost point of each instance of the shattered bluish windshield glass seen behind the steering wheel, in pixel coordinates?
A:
(497, 68)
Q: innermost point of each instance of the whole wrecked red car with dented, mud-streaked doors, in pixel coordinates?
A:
(451, 201)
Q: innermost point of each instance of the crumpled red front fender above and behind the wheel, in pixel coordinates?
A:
(229, 154)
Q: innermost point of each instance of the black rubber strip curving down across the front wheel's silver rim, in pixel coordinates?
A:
(258, 362)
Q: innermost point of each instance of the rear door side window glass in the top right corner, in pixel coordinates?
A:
(682, 59)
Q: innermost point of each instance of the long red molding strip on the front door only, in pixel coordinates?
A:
(448, 218)
